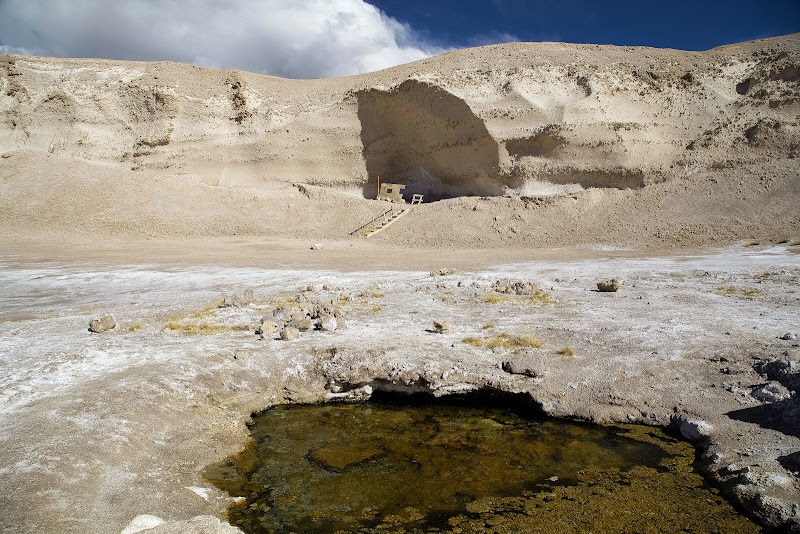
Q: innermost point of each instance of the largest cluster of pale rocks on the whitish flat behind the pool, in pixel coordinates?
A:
(302, 315)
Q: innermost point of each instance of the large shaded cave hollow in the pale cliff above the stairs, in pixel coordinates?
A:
(425, 137)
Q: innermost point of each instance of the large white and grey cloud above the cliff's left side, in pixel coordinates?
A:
(290, 38)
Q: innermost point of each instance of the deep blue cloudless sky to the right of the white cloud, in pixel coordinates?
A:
(687, 25)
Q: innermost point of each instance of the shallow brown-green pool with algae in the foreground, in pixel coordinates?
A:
(384, 467)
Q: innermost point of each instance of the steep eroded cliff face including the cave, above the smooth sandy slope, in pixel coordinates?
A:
(521, 118)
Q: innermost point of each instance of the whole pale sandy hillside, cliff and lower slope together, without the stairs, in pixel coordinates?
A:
(653, 146)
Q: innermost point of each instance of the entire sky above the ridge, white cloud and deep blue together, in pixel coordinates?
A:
(322, 38)
